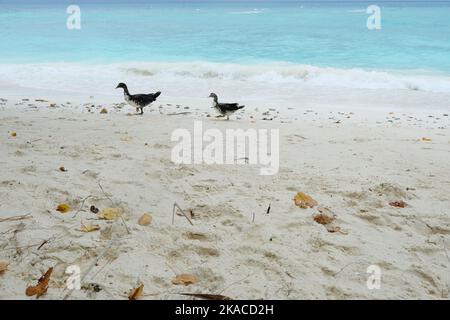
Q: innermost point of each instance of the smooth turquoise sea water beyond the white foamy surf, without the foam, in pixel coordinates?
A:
(414, 35)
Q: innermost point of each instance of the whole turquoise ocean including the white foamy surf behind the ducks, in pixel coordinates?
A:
(185, 46)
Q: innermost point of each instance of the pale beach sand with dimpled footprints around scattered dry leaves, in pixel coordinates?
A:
(354, 167)
